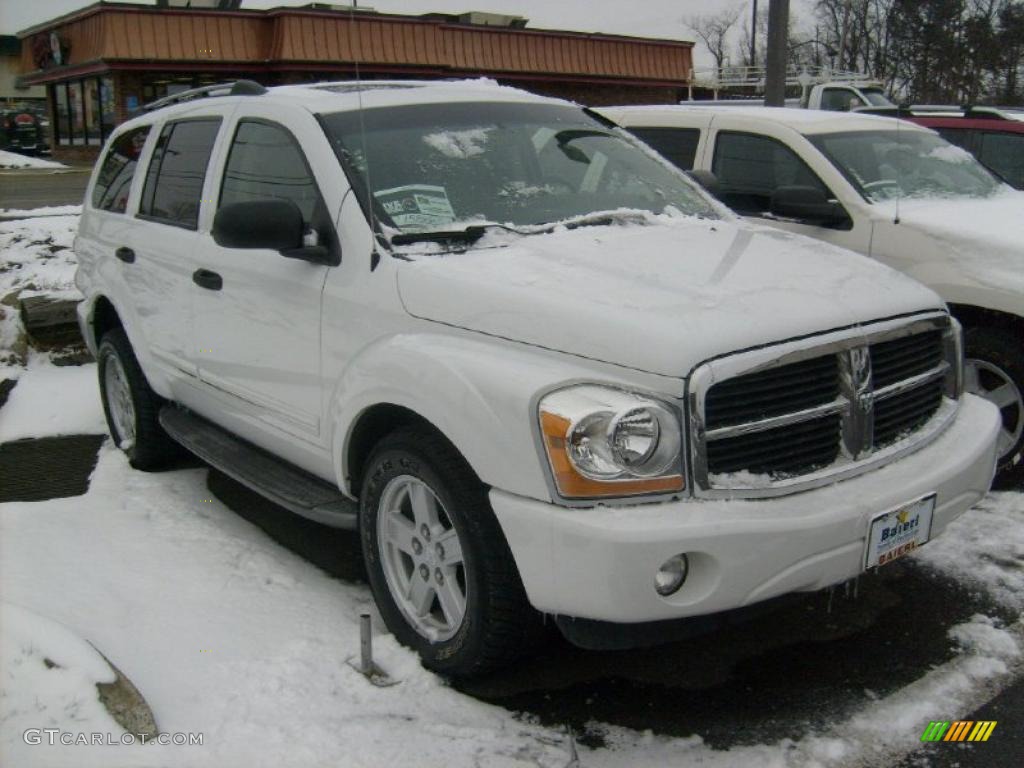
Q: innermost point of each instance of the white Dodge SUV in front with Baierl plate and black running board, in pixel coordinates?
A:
(538, 369)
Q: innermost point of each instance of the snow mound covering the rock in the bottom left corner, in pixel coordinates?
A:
(50, 676)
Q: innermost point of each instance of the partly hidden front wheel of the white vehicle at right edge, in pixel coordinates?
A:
(995, 370)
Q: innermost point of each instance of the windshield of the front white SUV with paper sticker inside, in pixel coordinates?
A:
(446, 166)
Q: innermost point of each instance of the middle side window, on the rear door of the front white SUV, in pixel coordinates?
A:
(175, 181)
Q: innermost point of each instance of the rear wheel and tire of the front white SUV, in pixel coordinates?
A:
(132, 408)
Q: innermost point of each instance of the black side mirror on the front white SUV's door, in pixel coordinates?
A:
(265, 224)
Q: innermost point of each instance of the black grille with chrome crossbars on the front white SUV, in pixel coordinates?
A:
(802, 417)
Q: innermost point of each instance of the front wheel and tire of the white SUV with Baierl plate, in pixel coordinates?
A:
(440, 568)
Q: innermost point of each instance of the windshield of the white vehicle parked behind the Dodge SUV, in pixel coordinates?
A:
(890, 165)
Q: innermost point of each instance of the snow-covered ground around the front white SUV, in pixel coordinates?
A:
(230, 635)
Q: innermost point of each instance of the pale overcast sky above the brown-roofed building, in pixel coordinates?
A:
(644, 18)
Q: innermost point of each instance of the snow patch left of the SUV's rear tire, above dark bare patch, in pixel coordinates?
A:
(53, 401)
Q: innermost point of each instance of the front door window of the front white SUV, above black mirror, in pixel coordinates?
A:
(266, 164)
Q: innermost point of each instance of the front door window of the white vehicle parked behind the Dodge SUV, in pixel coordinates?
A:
(751, 168)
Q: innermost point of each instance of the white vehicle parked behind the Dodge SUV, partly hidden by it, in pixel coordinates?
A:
(889, 190)
